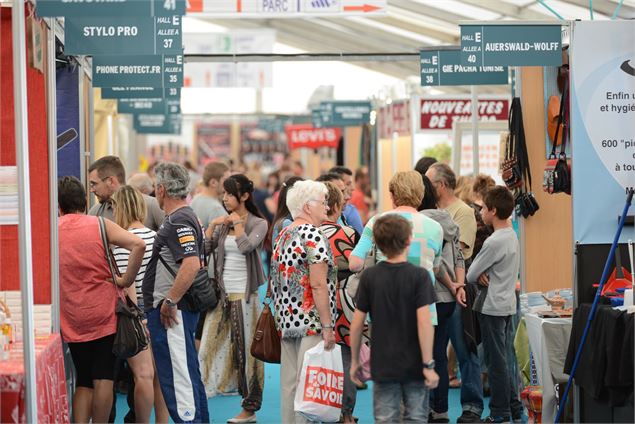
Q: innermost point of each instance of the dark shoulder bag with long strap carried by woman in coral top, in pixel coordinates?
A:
(131, 336)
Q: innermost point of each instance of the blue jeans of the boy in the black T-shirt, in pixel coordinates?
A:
(388, 397)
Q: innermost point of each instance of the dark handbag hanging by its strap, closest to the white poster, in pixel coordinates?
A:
(557, 174)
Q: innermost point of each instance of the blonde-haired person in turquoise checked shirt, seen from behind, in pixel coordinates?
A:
(406, 192)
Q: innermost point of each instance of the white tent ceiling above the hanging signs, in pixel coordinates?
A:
(411, 25)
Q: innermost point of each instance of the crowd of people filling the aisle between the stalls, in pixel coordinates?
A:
(435, 274)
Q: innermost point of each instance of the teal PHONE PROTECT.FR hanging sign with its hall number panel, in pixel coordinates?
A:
(138, 71)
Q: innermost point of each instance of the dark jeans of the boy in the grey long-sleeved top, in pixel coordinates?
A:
(497, 333)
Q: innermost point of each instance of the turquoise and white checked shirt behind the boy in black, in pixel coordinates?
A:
(425, 248)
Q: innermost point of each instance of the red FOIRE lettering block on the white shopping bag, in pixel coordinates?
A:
(324, 386)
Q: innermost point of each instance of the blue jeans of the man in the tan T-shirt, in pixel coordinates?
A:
(469, 364)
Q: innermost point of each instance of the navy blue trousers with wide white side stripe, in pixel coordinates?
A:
(177, 366)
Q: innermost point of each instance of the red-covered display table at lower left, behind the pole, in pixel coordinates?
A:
(52, 399)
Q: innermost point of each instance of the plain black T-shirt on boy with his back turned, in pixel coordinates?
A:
(391, 294)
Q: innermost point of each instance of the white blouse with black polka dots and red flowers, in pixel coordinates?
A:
(295, 249)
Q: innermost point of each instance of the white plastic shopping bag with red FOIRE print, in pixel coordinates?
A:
(321, 387)
